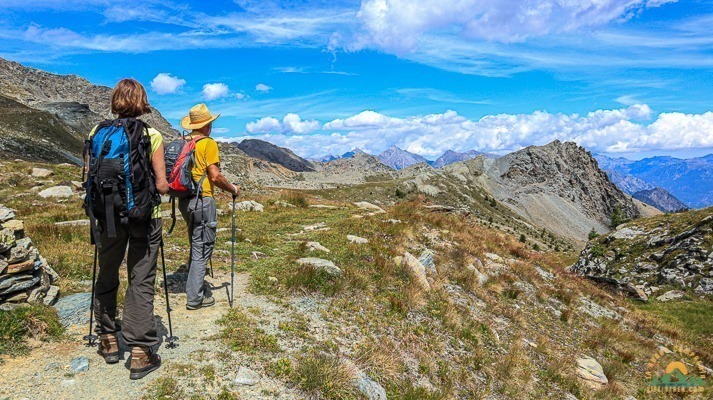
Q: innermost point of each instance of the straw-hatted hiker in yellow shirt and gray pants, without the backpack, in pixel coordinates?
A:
(199, 211)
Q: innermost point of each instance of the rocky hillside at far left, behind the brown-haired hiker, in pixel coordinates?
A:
(68, 106)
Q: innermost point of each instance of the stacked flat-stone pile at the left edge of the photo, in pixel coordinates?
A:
(25, 276)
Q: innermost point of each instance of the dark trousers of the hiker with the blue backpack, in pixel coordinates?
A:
(138, 327)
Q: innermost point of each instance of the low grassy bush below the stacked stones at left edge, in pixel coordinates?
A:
(28, 321)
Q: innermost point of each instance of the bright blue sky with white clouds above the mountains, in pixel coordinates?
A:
(621, 77)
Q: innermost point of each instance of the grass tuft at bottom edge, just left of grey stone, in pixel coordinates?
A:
(323, 374)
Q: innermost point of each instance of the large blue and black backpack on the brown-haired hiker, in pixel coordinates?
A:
(120, 183)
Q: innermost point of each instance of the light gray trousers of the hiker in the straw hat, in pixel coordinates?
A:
(202, 219)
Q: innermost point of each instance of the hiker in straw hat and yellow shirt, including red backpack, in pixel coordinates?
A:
(194, 175)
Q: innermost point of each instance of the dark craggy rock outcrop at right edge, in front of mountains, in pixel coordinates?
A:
(666, 252)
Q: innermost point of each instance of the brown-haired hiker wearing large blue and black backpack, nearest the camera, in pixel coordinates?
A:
(125, 176)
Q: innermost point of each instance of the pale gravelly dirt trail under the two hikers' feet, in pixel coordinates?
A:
(46, 374)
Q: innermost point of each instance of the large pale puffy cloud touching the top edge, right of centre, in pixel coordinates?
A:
(396, 25)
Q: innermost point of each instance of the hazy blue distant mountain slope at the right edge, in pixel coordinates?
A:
(689, 180)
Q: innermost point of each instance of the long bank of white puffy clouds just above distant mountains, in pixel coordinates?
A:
(608, 131)
